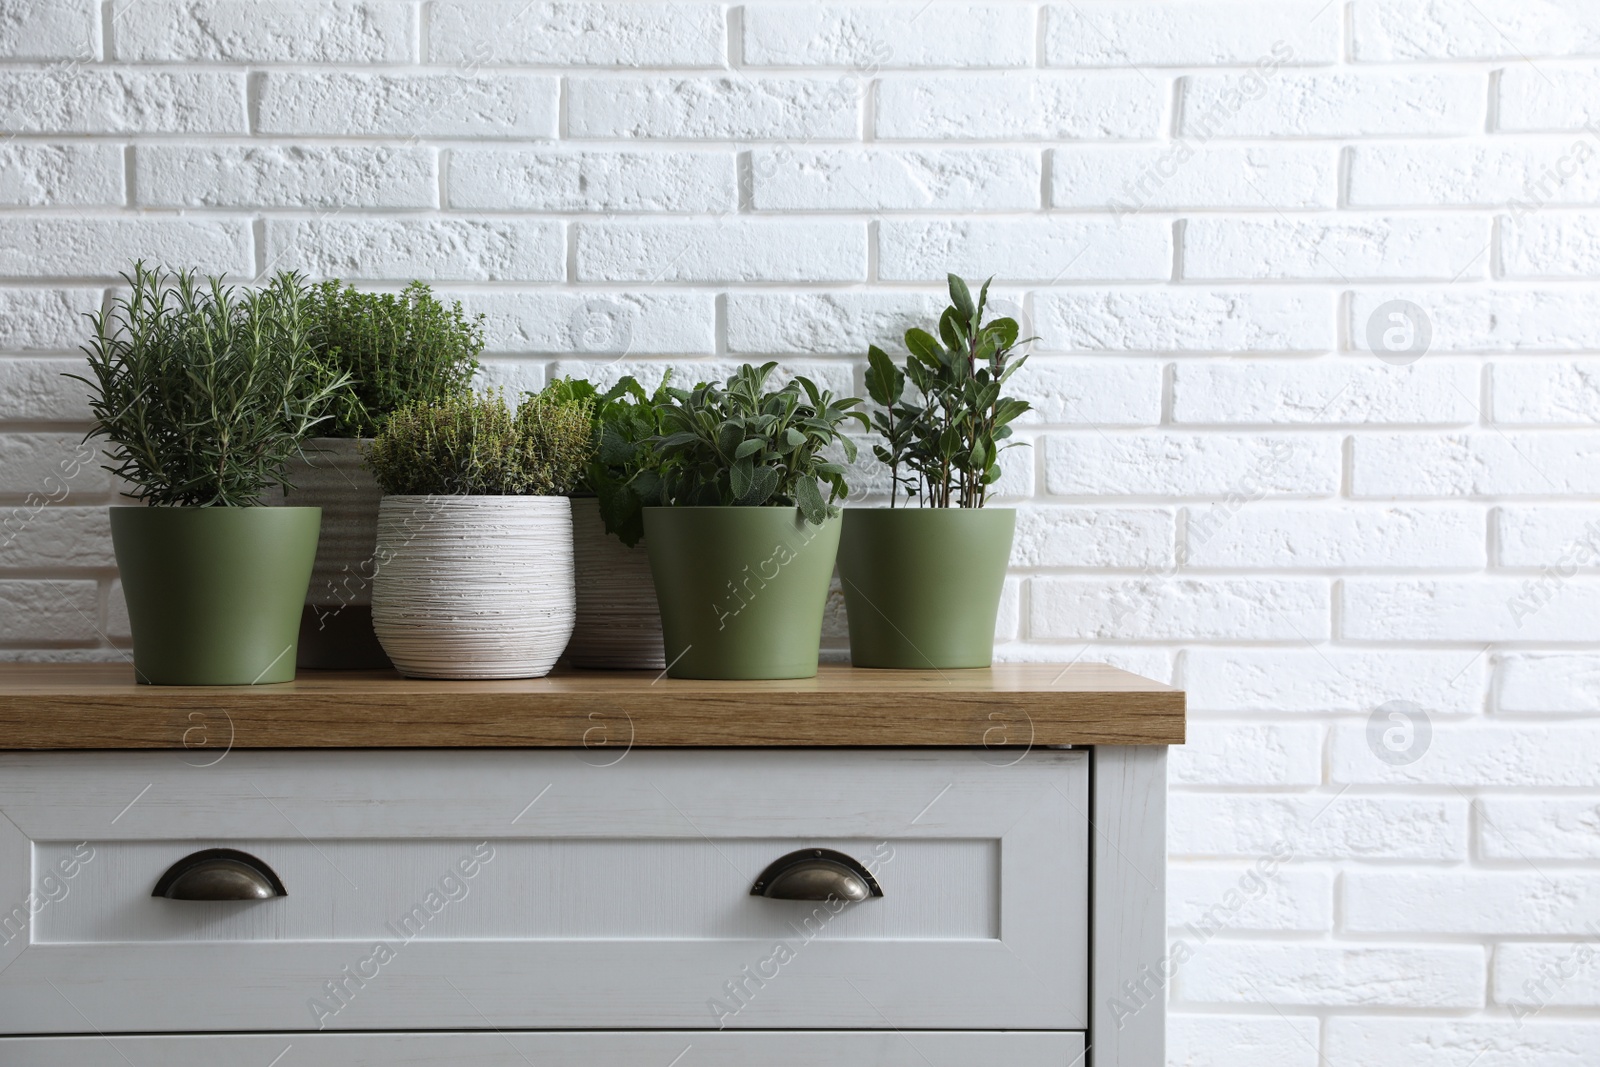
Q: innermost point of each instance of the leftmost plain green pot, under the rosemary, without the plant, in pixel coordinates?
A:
(215, 593)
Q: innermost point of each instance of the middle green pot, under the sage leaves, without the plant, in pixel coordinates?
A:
(742, 589)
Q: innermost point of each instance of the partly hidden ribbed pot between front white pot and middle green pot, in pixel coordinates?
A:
(618, 618)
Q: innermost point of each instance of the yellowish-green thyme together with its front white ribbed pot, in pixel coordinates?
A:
(476, 533)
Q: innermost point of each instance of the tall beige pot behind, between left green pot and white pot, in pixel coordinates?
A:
(337, 625)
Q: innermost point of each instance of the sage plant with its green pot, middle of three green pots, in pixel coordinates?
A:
(743, 548)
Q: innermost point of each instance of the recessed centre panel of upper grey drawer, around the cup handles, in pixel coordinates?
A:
(521, 890)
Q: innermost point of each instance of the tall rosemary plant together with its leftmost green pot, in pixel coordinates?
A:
(206, 393)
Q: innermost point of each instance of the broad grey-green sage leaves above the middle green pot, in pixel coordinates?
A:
(742, 444)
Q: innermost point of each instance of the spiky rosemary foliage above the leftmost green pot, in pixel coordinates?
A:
(204, 391)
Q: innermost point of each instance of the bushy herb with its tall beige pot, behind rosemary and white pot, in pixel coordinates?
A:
(396, 350)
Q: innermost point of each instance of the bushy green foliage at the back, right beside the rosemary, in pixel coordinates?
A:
(396, 350)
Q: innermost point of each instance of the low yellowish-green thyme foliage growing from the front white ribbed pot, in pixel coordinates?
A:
(479, 446)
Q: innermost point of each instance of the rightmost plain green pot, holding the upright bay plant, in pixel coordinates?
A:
(922, 585)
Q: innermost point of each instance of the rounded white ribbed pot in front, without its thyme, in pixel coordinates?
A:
(474, 586)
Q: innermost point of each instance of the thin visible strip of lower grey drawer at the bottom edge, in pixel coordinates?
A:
(682, 1049)
